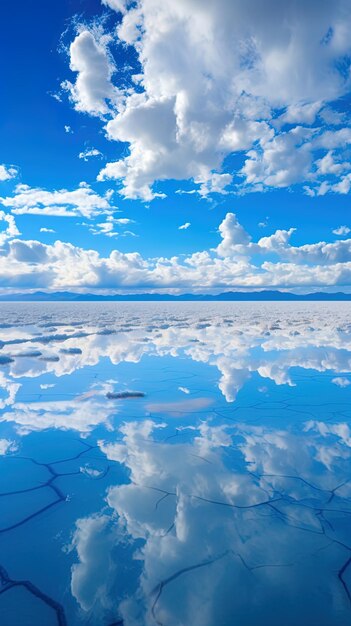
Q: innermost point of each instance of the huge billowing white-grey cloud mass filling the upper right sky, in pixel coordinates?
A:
(261, 82)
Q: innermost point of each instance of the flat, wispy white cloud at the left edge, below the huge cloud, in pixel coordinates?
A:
(83, 201)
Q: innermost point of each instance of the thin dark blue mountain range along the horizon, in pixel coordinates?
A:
(228, 296)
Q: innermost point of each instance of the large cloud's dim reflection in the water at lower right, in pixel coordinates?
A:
(171, 479)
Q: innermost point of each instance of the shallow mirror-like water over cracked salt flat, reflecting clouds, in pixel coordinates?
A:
(183, 464)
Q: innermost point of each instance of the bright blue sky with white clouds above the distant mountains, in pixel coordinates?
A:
(123, 121)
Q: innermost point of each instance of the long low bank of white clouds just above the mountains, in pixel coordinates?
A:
(237, 261)
